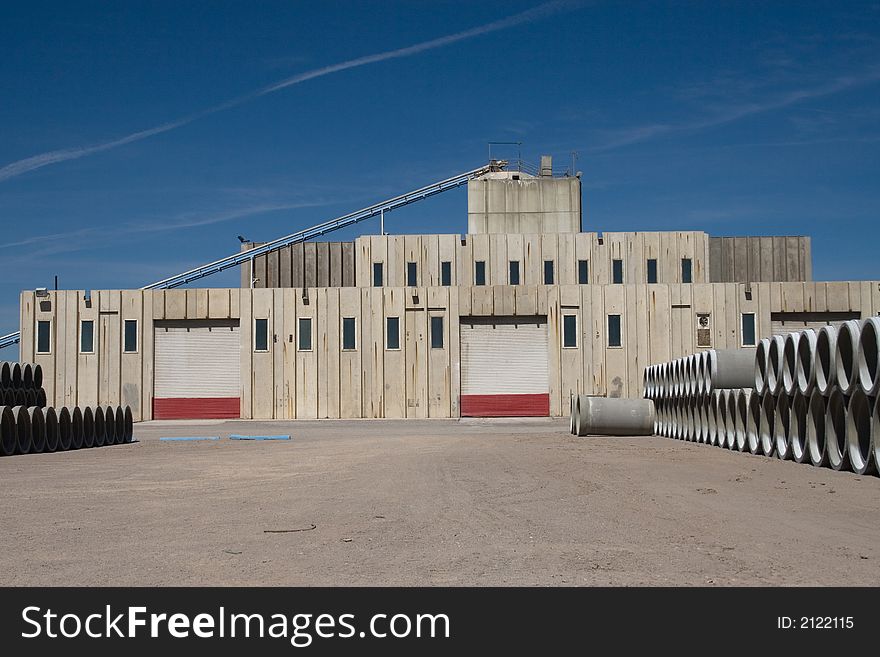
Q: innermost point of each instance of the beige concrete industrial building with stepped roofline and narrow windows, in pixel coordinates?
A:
(508, 319)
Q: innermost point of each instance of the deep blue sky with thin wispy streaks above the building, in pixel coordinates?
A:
(139, 138)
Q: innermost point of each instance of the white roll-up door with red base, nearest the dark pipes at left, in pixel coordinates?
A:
(196, 370)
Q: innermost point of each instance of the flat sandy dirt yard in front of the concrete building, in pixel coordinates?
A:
(476, 502)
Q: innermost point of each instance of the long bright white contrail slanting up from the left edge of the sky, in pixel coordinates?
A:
(25, 165)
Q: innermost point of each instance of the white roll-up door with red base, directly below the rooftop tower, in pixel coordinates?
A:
(504, 367)
